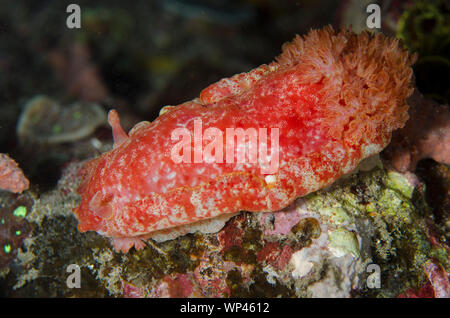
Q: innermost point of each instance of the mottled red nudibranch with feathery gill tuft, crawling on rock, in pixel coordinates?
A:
(328, 101)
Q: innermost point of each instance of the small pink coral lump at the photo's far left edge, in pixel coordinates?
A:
(11, 176)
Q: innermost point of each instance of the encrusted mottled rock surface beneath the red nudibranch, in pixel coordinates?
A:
(320, 246)
